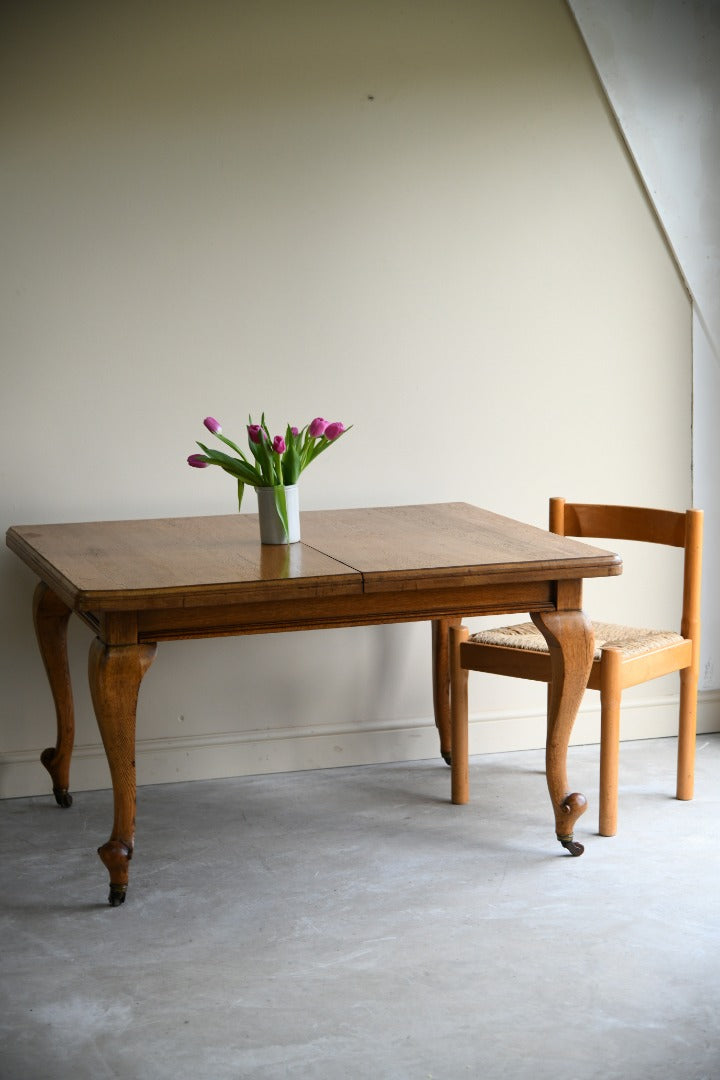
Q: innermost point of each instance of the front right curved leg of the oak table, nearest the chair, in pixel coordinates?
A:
(570, 641)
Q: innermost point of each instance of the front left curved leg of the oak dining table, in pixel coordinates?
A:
(116, 673)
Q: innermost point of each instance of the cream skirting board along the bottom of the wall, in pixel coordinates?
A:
(247, 753)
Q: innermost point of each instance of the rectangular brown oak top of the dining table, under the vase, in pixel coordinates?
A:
(198, 562)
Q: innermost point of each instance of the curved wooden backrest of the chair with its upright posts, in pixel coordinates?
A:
(653, 526)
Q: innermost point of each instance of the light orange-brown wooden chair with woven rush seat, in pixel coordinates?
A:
(624, 656)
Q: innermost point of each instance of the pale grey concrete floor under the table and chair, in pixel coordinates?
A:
(352, 924)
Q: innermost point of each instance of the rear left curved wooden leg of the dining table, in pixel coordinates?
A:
(51, 616)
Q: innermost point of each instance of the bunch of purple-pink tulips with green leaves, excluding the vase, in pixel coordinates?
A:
(276, 463)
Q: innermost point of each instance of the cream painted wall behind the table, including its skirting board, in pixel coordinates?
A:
(416, 219)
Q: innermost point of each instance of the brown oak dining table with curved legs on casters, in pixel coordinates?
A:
(137, 584)
